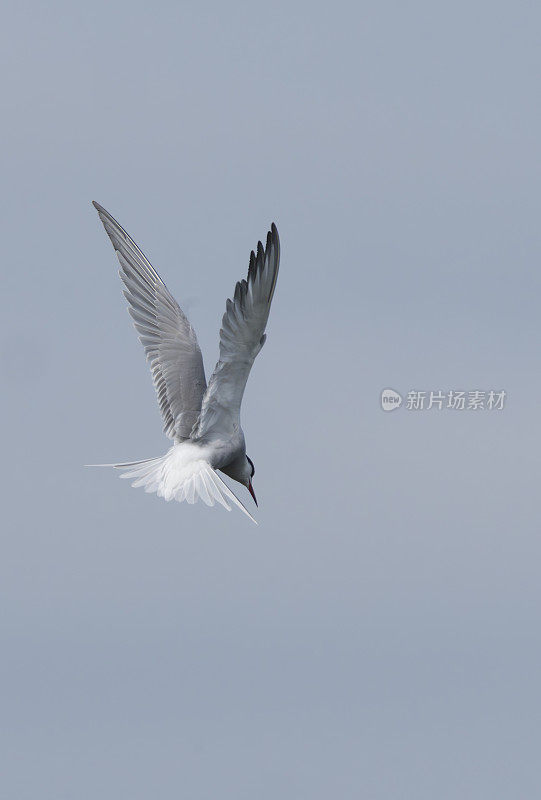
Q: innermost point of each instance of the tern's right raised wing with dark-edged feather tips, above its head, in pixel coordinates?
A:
(242, 336)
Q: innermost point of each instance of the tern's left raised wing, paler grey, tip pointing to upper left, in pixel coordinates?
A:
(168, 338)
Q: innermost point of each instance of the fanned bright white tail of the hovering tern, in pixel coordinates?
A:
(174, 476)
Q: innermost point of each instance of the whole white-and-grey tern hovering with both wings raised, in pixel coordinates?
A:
(202, 421)
